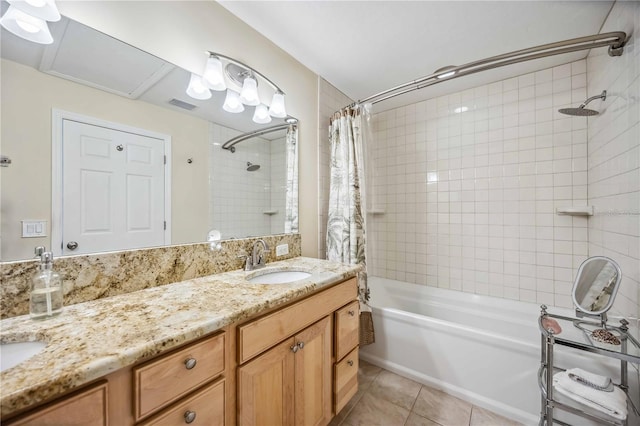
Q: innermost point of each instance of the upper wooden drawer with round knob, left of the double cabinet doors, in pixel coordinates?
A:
(163, 380)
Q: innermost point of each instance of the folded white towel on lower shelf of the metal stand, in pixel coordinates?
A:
(613, 403)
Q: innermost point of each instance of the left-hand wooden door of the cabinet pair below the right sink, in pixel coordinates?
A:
(266, 387)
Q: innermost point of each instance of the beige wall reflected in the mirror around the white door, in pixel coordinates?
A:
(28, 96)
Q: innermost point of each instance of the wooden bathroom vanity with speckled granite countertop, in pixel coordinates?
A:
(213, 350)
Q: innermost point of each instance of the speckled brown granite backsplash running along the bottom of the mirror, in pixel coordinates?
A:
(95, 276)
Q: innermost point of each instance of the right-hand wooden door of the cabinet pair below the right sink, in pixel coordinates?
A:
(313, 374)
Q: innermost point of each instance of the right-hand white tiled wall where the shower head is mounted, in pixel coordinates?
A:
(614, 156)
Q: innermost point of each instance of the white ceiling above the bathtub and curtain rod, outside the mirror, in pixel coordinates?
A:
(364, 47)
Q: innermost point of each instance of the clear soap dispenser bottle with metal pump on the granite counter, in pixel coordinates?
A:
(46, 290)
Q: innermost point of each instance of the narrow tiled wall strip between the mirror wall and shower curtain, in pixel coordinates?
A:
(330, 100)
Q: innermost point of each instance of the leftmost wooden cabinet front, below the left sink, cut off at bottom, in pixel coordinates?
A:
(86, 408)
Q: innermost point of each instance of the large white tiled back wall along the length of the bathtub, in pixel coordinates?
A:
(465, 189)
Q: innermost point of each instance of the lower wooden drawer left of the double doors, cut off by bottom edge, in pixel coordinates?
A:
(205, 407)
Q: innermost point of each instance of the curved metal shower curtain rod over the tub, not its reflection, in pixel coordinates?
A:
(615, 40)
